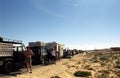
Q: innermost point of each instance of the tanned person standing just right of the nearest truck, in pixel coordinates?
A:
(28, 59)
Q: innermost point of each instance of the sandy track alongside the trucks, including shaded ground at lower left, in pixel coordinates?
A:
(41, 71)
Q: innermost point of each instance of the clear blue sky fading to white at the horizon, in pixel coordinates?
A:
(81, 24)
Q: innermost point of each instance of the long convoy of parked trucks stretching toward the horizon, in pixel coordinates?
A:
(12, 53)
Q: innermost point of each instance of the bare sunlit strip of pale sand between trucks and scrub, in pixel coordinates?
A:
(58, 69)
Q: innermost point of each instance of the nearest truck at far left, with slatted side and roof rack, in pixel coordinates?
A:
(11, 54)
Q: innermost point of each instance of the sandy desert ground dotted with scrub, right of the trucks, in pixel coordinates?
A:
(100, 64)
